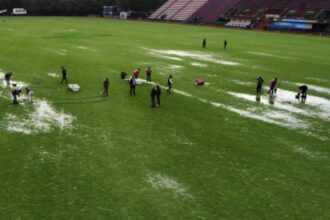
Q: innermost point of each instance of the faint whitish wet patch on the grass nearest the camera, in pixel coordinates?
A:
(161, 182)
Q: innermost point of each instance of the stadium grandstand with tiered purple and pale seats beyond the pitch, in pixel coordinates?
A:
(297, 15)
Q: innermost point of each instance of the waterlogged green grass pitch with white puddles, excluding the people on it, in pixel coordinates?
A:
(209, 152)
